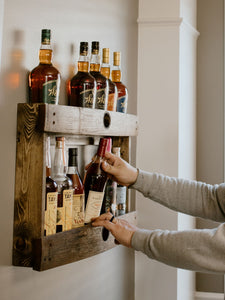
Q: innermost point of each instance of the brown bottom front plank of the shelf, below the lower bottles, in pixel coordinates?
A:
(70, 246)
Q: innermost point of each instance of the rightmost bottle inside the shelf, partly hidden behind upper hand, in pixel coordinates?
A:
(121, 191)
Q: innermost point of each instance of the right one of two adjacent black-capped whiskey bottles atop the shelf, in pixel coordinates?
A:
(102, 82)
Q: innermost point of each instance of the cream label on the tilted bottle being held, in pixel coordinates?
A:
(94, 204)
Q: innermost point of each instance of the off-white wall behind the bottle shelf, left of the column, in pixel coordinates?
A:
(113, 23)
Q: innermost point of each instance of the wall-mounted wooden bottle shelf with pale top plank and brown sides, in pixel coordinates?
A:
(34, 124)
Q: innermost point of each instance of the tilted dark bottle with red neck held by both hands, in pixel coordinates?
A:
(94, 184)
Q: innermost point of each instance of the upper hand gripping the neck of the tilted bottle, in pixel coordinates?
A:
(119, 170)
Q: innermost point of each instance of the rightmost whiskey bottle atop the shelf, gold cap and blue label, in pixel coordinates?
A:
(121, 88)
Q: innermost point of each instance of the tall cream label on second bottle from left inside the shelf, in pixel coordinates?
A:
(68, 202)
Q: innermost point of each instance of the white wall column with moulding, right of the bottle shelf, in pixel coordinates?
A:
(166, 141)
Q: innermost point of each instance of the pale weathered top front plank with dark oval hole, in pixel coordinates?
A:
(86, 121)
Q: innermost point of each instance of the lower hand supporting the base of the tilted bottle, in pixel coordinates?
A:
(120, 229)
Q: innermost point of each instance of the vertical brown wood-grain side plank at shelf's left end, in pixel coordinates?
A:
(29, 185)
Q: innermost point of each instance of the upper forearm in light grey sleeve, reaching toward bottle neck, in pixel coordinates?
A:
(190, 197)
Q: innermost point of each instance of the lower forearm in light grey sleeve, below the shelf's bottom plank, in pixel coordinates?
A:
(197, 250)
